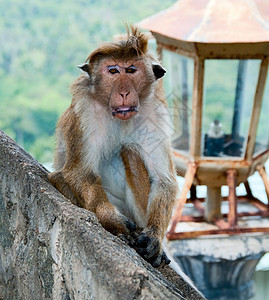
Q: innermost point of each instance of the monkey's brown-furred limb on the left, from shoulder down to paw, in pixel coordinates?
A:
(82, 186)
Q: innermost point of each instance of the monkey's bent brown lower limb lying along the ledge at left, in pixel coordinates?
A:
(89, 194)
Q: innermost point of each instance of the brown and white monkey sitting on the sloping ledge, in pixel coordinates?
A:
(113, 151)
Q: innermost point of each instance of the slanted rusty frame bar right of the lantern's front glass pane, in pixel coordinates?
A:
(257, 104)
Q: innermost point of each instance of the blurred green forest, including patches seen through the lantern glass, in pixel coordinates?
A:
(42, 42)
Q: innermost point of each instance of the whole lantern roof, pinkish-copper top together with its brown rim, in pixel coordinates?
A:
(213, 28)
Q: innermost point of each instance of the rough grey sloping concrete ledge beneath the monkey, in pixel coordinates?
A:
(51, 249)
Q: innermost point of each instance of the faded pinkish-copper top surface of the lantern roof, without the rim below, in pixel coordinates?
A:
(213, 21)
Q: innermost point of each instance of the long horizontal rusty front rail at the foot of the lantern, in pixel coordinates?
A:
(195, 234)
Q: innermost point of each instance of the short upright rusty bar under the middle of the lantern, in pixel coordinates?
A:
(231, 182)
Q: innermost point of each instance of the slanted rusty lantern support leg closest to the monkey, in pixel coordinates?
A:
(190, 173)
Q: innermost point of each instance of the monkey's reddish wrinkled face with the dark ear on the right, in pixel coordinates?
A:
(123, 85)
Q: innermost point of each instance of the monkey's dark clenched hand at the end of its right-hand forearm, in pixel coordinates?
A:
(148, 245)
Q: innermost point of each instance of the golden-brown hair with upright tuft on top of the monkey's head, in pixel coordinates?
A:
(135, 45)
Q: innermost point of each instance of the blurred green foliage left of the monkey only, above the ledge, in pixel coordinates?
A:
(42, 42)
